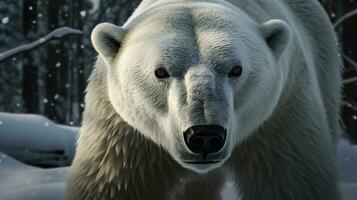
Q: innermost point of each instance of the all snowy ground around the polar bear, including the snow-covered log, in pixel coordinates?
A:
(35, 139)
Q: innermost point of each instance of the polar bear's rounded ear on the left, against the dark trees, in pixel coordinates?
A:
(106, 39)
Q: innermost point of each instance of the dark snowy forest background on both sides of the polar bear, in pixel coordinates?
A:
(50, 80)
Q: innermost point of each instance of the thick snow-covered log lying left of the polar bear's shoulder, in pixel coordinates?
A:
(36, 140)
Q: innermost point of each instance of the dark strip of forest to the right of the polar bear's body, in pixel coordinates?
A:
(348, 42)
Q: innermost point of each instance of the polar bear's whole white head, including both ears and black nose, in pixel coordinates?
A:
(195, 79)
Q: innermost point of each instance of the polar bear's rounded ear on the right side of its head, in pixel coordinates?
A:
(277, 34)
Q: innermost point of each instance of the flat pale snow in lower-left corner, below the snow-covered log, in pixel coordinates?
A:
(19, 181)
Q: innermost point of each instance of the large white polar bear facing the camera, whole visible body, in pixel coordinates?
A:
(188, 91)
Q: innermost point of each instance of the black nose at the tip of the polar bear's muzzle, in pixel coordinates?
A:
(205, 139)
